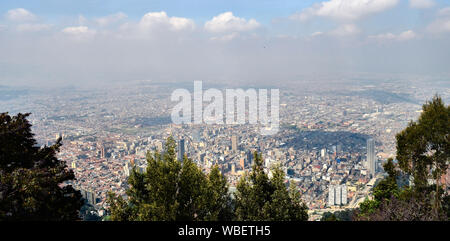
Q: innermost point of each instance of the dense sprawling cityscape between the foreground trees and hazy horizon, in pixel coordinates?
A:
(336, 132)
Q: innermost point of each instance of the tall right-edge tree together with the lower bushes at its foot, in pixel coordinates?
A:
(423, 153)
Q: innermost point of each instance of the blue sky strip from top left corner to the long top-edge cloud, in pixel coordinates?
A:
(263, 10)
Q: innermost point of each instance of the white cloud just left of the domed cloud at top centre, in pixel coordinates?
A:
(161, 20)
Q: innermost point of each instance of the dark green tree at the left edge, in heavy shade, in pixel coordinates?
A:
(32, 178)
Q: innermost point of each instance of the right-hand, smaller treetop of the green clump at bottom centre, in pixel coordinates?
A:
(261, 198)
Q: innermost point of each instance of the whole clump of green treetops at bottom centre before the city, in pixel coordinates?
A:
(171, 190)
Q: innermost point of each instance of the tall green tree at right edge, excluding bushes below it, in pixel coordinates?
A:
(423, 148)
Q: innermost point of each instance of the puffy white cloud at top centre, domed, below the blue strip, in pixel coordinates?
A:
(227, 22)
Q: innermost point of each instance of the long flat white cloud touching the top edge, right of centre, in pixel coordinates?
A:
(345, 9)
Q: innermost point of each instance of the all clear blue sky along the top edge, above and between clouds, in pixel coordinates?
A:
(267, 12)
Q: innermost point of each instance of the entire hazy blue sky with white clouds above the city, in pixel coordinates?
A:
(81, 42)
